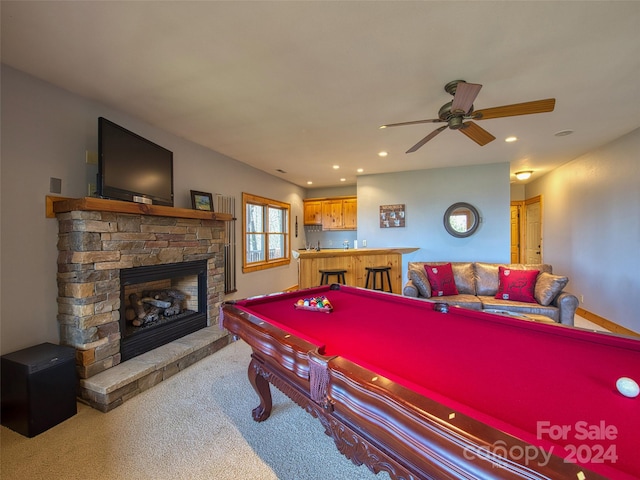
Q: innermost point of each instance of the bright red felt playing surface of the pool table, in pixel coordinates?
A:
(506, 372)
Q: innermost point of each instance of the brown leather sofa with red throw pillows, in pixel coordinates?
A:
(477, 285)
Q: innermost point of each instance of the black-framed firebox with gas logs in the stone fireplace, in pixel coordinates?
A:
(161, 303)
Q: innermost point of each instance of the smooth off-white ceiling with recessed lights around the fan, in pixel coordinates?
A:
(302, 86)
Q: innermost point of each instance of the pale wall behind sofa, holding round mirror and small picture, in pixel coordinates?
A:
(426, 195)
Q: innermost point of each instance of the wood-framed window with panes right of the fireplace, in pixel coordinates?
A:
(265, 232)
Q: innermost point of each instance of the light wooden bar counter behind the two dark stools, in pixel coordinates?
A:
(354, 261)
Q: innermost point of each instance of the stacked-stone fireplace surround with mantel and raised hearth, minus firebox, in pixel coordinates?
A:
(97, 239)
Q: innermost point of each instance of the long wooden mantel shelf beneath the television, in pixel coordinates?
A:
(65, 204)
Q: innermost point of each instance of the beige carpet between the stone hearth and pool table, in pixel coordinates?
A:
(195, 425)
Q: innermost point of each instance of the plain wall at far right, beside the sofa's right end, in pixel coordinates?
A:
(591, 228)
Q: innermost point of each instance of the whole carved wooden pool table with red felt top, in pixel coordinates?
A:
(425, 394)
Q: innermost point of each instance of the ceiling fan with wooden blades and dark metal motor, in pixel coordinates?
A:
(458, 113)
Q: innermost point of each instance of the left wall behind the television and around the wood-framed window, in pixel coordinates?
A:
(45, 133)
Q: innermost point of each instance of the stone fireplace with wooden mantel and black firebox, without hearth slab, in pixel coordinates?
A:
(100, 243)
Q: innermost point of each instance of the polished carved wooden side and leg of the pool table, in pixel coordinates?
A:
(377, 422)
